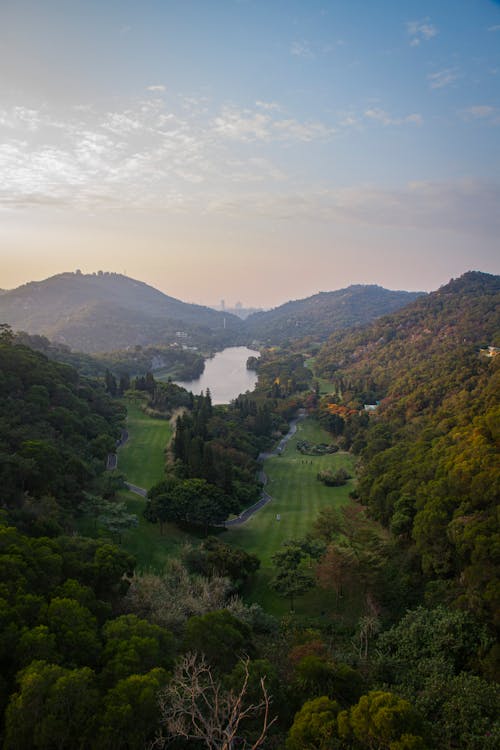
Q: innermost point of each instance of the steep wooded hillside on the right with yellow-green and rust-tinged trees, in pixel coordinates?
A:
(430, 450)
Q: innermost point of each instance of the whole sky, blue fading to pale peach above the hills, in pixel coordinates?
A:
(250, 150)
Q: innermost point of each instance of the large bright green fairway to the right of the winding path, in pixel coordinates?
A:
(298, 497)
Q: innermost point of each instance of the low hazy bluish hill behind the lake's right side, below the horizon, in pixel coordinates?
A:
(320, 315)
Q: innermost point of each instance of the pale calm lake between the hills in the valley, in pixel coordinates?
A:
(225, 374)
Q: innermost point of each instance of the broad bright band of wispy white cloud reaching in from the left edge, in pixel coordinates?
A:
(141, 156)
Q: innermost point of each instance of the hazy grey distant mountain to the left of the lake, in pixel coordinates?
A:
(107, 311)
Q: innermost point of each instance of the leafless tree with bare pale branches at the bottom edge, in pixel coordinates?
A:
(197, 707)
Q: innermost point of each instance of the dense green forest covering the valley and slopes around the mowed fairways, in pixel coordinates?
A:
(97, 653)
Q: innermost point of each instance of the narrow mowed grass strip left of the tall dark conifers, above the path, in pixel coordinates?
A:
(142, 458)
